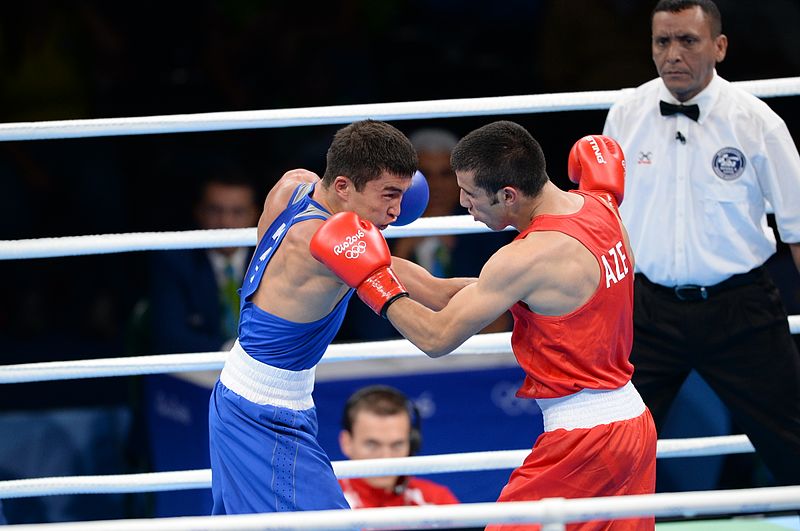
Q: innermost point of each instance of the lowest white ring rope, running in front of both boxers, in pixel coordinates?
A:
(552, 512)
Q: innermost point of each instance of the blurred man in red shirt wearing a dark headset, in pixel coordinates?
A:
(379, 421)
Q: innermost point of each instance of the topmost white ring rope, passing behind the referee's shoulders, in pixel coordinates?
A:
(342, 114)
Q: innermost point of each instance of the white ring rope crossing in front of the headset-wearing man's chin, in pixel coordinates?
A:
(398, 466)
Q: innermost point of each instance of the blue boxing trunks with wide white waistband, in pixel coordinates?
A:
(267, 434)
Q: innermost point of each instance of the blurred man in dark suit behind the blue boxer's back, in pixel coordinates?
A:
(194, 305)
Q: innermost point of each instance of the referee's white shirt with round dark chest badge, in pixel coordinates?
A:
(694, 202)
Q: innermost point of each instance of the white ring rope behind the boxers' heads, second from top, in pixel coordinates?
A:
(201, 239)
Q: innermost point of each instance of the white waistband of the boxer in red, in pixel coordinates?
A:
(591, 407)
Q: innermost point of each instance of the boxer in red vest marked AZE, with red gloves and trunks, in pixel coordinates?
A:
(568, 280)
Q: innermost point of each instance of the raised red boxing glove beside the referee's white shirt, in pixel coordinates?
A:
(597, 164)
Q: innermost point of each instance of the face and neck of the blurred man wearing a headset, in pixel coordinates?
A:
(376, 436)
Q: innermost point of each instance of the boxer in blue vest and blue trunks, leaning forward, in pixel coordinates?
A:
(262, 420)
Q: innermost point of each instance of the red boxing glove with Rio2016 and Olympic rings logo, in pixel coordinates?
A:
(355, 250)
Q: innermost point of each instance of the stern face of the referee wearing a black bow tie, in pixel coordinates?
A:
(684, 51)
